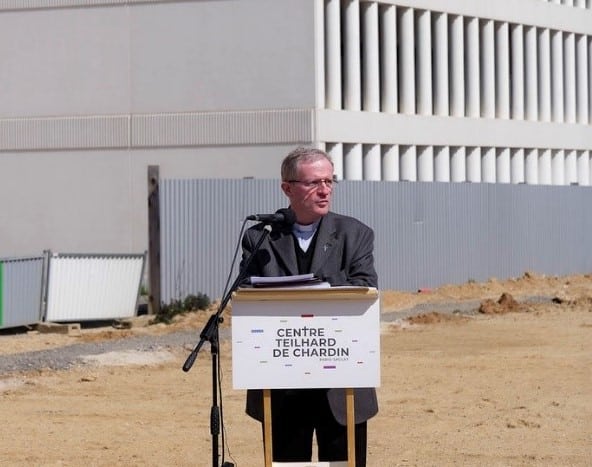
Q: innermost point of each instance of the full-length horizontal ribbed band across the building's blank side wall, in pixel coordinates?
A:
(157, 130)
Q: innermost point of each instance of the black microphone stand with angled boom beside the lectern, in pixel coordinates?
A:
(210, 333)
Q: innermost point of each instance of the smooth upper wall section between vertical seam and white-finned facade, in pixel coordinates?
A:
(222, 55)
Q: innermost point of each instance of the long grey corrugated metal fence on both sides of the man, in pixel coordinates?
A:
(427, 234)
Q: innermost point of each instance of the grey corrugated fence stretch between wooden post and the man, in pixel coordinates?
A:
(200, 226)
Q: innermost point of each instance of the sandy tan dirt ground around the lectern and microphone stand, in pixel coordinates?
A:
(510, 386)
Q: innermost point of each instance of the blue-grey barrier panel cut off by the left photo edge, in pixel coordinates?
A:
(21, 284)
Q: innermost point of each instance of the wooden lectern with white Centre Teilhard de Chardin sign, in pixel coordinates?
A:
(296, 338)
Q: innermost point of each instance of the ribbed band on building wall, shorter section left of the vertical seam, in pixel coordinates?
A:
(64, 133)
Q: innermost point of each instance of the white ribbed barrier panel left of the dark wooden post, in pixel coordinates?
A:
(93, 287)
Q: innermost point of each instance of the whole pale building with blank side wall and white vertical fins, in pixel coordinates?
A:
(92, 92)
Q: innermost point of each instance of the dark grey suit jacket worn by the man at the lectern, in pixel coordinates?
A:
(343, 256)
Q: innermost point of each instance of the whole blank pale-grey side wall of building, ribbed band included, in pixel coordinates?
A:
(94, 92)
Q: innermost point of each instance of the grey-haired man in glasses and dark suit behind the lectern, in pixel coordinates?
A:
(337, 249)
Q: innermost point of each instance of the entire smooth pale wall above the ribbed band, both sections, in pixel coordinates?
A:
(158, 57)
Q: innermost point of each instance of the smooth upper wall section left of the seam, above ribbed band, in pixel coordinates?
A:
(72, 61)
